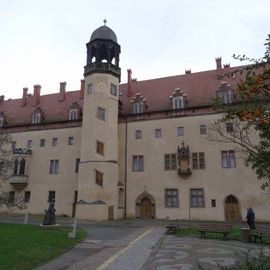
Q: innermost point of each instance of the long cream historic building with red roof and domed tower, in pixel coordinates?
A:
(139, 149)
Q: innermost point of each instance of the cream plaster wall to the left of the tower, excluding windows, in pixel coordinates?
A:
(40, 181)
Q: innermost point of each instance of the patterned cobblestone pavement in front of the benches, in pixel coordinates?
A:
(186, 253)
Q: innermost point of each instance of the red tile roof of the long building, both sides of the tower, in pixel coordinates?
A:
(199, 87)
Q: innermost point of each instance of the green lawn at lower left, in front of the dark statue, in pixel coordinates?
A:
(24, 247)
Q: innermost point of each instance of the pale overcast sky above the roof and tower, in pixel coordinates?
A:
(43, 41)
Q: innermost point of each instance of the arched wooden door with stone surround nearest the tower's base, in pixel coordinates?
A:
(145, 206)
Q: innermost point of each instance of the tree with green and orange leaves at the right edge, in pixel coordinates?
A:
(250, 111)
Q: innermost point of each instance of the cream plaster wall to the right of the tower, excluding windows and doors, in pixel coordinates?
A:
(217, 182)
